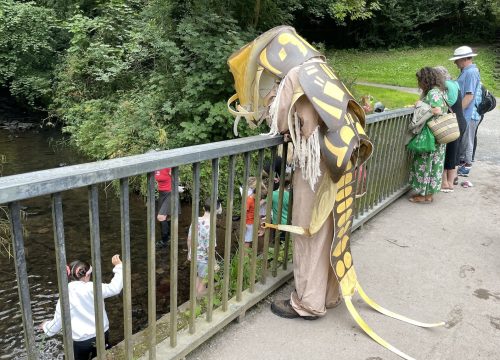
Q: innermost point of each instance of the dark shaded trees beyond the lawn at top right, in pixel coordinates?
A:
(403, 22)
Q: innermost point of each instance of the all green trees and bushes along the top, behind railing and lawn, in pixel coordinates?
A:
(127, 76)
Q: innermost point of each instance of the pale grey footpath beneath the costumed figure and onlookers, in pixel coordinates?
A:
(430, 262)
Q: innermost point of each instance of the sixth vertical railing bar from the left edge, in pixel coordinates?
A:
(174, 255)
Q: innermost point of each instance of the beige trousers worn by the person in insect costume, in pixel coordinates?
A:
(316, 286)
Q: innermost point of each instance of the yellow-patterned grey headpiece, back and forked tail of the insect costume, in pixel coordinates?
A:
(343, 144)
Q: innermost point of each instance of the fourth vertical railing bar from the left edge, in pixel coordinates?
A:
(126, 261)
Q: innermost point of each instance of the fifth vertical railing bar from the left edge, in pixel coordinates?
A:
(151, 251)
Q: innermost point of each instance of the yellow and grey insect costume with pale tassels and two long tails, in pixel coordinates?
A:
(281, 78)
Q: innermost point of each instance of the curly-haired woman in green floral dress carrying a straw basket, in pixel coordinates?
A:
(427, 169)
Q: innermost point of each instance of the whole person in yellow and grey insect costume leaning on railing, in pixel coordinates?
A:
(282, 79)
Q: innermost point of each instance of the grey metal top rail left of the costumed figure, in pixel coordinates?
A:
(37, 183)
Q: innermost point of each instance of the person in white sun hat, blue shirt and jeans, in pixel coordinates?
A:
(469, 82)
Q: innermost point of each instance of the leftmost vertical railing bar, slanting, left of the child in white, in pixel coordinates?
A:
(22, 279)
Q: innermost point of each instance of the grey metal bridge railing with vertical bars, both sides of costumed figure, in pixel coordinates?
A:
(386, 179)
